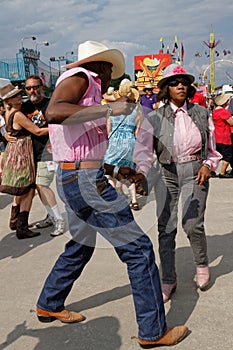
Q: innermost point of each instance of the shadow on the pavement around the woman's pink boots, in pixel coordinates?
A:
(184, 300)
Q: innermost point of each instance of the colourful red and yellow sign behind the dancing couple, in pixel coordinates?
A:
(148, 69)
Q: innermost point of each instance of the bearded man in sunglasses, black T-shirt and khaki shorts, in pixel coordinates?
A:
(34, 109)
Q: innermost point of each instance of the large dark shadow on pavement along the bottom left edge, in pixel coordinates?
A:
(100, 333)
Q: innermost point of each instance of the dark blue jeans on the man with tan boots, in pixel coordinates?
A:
(94, 205)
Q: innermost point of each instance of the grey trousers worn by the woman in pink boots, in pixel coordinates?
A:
(178, 181)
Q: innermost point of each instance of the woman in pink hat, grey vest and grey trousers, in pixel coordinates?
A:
(181, 135)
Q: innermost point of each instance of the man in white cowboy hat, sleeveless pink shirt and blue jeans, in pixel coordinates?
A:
(79, 140)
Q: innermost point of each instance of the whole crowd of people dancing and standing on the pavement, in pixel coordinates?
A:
(101, 142)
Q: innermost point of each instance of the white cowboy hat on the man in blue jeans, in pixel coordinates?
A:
(91, 51)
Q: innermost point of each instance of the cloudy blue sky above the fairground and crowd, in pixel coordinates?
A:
(132, 26)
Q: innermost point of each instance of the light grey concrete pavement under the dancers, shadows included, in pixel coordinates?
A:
(103, 292)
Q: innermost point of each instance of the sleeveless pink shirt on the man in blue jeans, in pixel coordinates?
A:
(86, 141)
